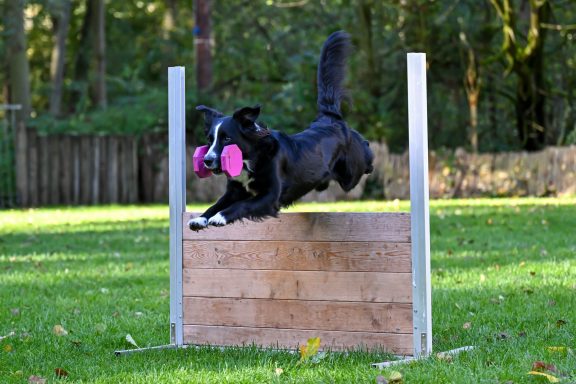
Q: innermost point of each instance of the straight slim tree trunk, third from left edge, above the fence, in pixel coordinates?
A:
(99, 44)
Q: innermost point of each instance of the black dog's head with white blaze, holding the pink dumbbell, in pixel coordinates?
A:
(241, 129)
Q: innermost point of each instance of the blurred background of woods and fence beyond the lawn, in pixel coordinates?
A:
(83, 101)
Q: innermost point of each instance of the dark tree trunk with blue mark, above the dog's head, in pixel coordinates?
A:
(203, 33)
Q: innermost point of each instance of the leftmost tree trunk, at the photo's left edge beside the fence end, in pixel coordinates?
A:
(18, 87)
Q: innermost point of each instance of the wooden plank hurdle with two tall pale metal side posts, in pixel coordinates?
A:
(356, 280)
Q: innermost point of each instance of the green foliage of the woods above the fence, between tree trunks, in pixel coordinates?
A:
(267, 52)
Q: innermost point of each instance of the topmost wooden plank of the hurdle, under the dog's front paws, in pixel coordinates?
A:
(332, 226)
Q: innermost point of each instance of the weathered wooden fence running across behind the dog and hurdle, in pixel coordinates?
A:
(91, 169)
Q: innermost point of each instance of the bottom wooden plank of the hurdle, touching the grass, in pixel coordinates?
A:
(400, 343)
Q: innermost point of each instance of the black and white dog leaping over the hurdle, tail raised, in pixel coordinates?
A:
(278, 168)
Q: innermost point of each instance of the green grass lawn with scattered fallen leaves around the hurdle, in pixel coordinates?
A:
(503, 278)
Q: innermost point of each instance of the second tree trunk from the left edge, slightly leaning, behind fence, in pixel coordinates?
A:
(61, 22)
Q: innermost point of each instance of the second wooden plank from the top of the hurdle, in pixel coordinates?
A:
(303, 256)
